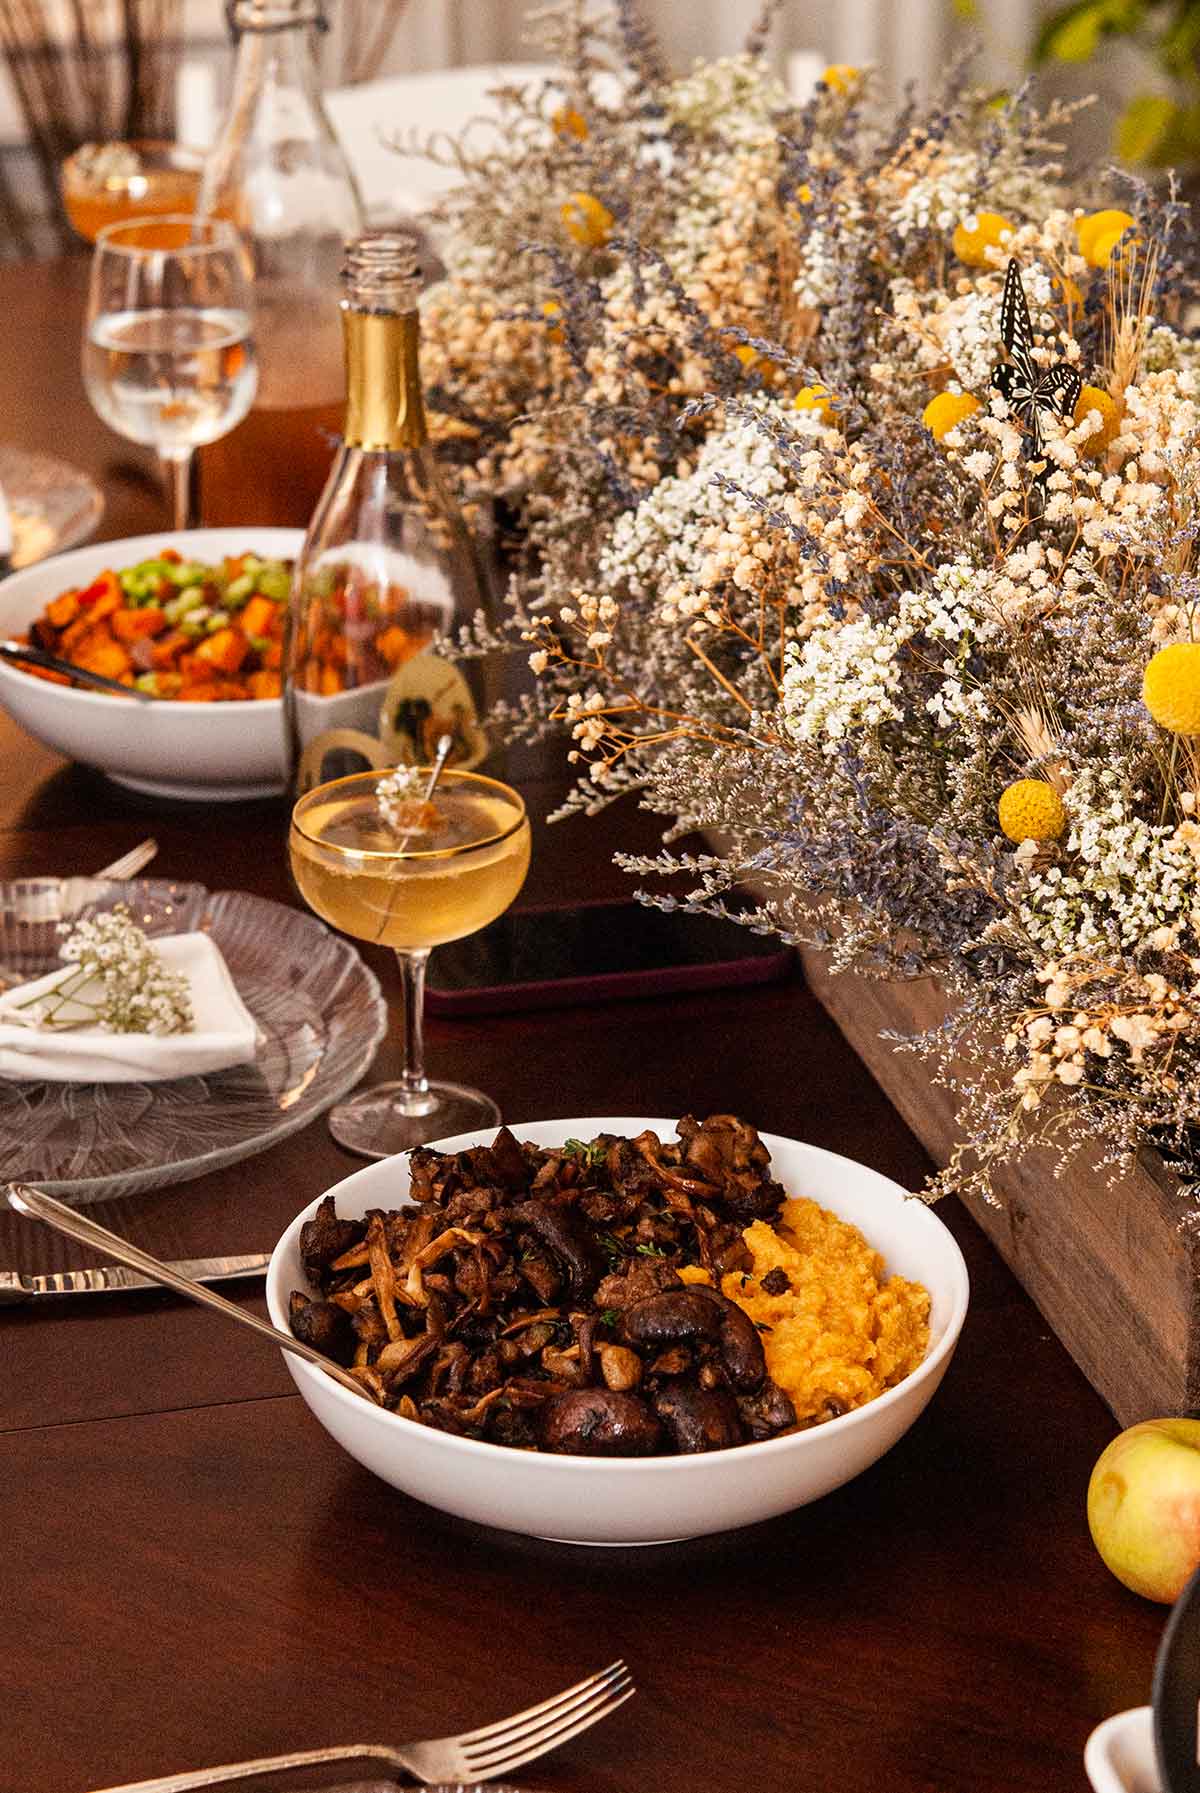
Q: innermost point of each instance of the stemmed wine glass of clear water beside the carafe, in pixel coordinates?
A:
(168, 354)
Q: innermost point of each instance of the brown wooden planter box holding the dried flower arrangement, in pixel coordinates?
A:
(1113, 1265)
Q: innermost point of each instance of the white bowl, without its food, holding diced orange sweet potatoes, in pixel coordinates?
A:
(186, 750)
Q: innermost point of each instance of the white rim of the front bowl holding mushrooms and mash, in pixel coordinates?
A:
(675, 1464)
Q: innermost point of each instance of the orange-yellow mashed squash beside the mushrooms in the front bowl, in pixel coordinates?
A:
(837, 1331)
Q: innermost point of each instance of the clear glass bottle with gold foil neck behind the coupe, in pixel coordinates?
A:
(388, 569)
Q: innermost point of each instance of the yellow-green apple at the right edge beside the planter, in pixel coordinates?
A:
(1143, 1507)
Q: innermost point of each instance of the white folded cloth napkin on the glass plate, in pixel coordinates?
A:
(223, 1030)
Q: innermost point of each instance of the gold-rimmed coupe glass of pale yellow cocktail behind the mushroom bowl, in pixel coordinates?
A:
(435, 872)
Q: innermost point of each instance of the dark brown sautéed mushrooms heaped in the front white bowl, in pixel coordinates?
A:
(534, 1297)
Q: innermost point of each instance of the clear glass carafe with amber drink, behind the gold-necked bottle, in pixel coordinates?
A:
(279, 173)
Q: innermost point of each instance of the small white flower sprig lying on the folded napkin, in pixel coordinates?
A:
(117, 982)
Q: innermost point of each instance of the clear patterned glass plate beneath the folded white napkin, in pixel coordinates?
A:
(320, 1014)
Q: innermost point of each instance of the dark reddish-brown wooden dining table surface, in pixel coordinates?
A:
(191, 1572)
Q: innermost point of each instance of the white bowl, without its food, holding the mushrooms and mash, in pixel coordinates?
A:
(648, 1500)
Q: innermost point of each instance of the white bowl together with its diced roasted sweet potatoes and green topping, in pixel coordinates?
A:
(193, 619)
